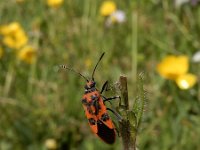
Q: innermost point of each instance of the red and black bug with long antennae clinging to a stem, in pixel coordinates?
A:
(95, 110)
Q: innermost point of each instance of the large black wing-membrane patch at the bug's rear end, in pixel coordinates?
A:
(105, 133)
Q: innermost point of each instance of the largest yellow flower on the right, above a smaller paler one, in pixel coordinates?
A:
(173, 66)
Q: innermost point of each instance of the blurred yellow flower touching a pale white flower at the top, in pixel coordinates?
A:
(107, 8)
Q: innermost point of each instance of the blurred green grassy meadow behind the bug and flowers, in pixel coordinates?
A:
(41, 106)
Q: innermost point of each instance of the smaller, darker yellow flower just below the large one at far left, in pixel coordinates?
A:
(27, 54)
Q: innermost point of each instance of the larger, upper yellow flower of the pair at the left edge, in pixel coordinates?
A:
(14, 35)
